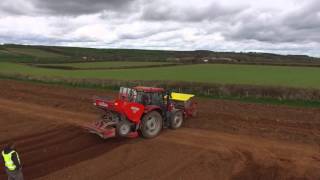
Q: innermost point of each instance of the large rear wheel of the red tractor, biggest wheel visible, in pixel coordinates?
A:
(151, 124)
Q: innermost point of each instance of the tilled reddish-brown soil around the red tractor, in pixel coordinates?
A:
(229, 140)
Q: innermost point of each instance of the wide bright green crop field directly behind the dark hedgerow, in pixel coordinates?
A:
(301, 77)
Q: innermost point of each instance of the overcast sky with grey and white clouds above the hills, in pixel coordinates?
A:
(278, 26)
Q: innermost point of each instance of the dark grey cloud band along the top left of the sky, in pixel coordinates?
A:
(63, 7)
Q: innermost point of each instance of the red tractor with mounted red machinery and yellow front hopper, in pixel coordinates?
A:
(143, 110)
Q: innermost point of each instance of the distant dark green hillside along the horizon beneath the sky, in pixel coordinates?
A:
(55, 54)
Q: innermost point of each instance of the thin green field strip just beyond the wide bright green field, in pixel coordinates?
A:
(109, 64)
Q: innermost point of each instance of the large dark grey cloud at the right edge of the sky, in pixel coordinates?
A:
(298, 25)
